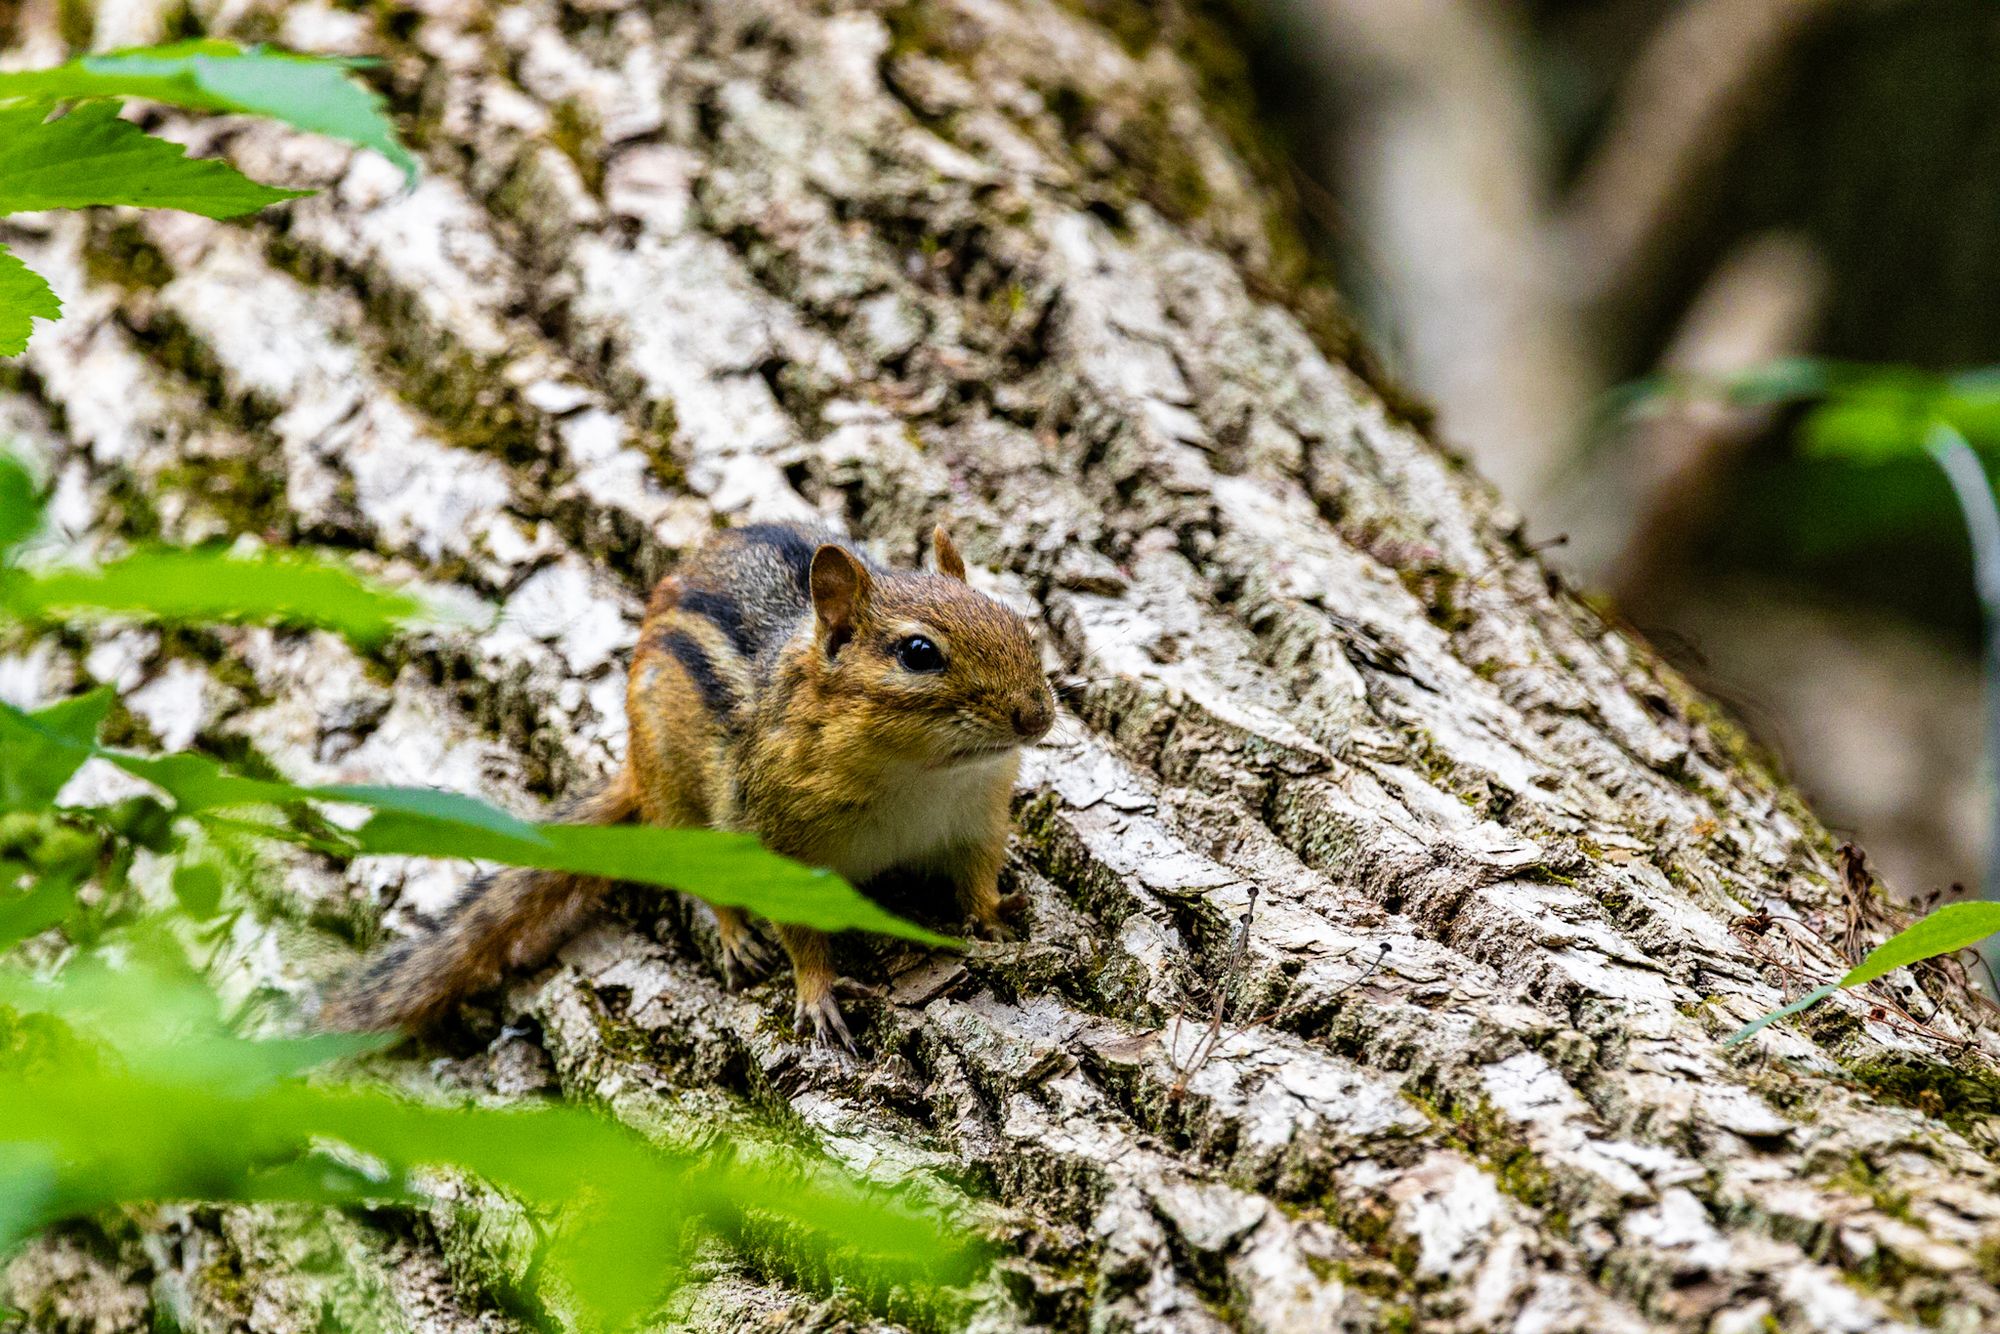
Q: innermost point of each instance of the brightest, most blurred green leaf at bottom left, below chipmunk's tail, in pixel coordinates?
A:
(153, 1099)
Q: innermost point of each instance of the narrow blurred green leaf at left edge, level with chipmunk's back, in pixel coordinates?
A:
(169, 585)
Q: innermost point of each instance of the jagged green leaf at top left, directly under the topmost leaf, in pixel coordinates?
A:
(91, 157)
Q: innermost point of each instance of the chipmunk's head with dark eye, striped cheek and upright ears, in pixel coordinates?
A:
(927, 669)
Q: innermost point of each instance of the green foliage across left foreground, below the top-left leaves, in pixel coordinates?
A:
(125, 1081)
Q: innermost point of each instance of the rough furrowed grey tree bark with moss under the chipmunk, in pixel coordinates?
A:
(1015, 263)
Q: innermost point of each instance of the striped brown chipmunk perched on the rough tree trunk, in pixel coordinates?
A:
(851, 717)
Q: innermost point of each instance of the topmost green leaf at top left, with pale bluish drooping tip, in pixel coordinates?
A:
(311, 93)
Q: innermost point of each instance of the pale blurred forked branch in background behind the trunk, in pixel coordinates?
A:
(1507, 297)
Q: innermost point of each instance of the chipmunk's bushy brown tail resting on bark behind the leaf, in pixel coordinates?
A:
(505, 921)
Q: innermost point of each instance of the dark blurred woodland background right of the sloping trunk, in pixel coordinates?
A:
(1601, 237)
